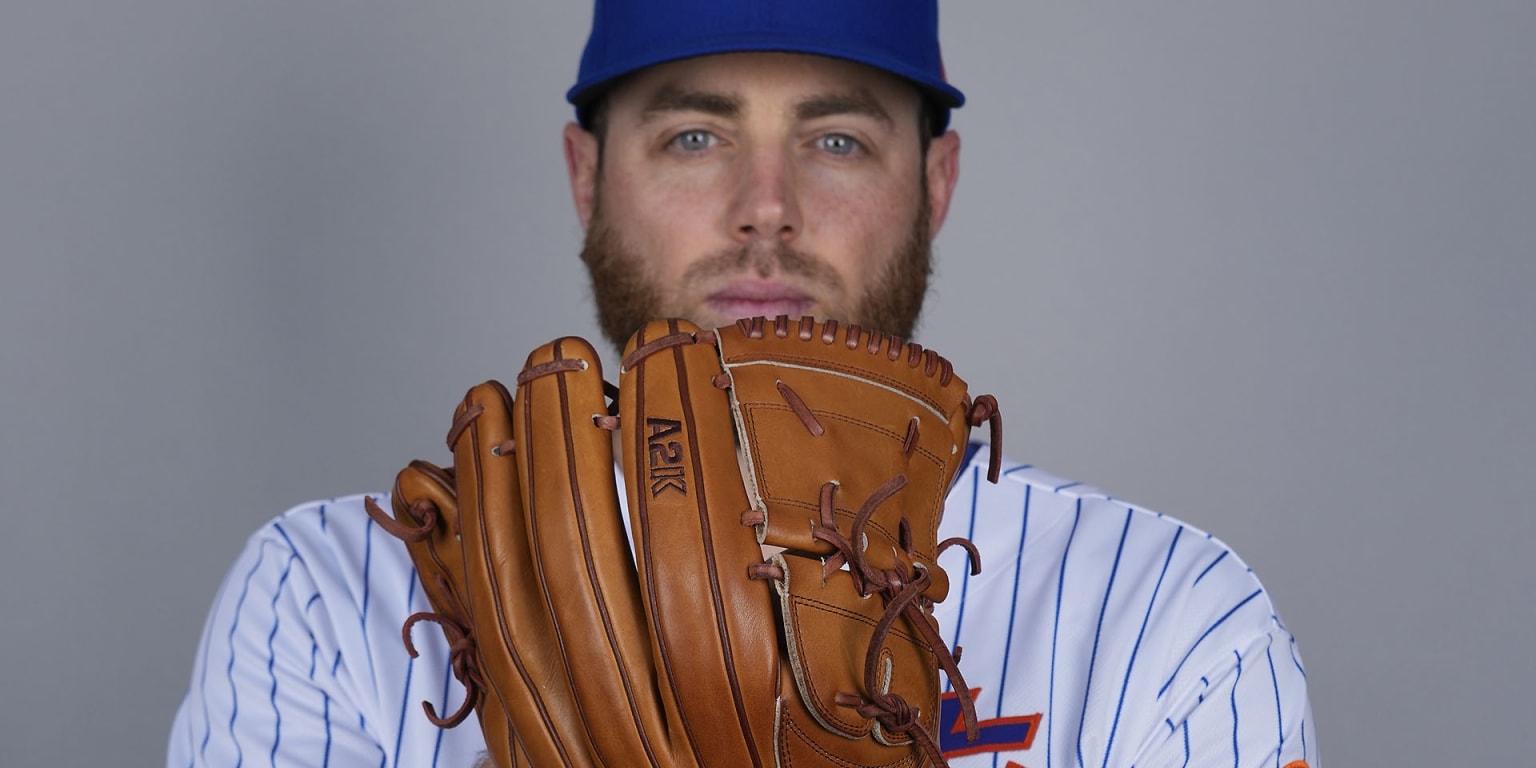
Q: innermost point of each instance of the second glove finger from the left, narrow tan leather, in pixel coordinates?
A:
(509, 620)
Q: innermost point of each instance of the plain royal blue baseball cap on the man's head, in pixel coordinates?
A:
(898, 36)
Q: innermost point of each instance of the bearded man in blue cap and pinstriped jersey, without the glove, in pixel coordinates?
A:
(783, 159)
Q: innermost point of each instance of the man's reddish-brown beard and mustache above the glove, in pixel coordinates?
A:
(627, 296)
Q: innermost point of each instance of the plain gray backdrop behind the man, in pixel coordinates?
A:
(1263, 266)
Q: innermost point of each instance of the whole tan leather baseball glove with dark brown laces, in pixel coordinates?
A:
(780, 475)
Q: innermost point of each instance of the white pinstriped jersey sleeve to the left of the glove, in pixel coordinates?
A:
(302, 661)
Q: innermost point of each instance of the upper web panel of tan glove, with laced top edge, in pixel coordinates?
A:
(839, 388)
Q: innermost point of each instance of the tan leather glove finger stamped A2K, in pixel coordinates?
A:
(713, 627)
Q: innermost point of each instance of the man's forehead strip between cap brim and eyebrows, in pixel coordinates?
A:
(764, 82)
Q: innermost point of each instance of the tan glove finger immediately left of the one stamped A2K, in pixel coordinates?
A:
(583, 557)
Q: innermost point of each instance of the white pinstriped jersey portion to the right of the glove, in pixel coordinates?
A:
(1102, 634)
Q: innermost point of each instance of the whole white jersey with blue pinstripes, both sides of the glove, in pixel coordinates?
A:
(1097, 635)
